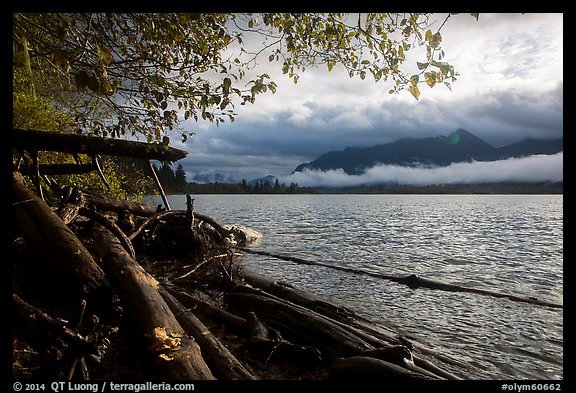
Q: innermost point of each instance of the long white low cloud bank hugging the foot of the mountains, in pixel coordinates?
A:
(537, 168)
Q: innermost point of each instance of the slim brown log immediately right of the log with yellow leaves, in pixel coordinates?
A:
(217, 356)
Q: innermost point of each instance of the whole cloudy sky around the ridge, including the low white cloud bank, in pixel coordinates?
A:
(510, 87)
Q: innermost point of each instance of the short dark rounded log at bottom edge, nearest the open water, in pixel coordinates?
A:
(363, 367)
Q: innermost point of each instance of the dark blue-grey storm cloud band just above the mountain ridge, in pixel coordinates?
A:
(498, 118)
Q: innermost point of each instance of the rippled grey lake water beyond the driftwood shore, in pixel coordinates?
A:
(504, 243)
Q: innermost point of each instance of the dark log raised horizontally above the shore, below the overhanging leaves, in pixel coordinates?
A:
(75, 143)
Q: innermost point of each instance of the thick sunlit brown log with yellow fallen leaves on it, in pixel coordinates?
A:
(176, 355)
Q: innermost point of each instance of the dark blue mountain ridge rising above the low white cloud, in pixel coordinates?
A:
(442, 150)
